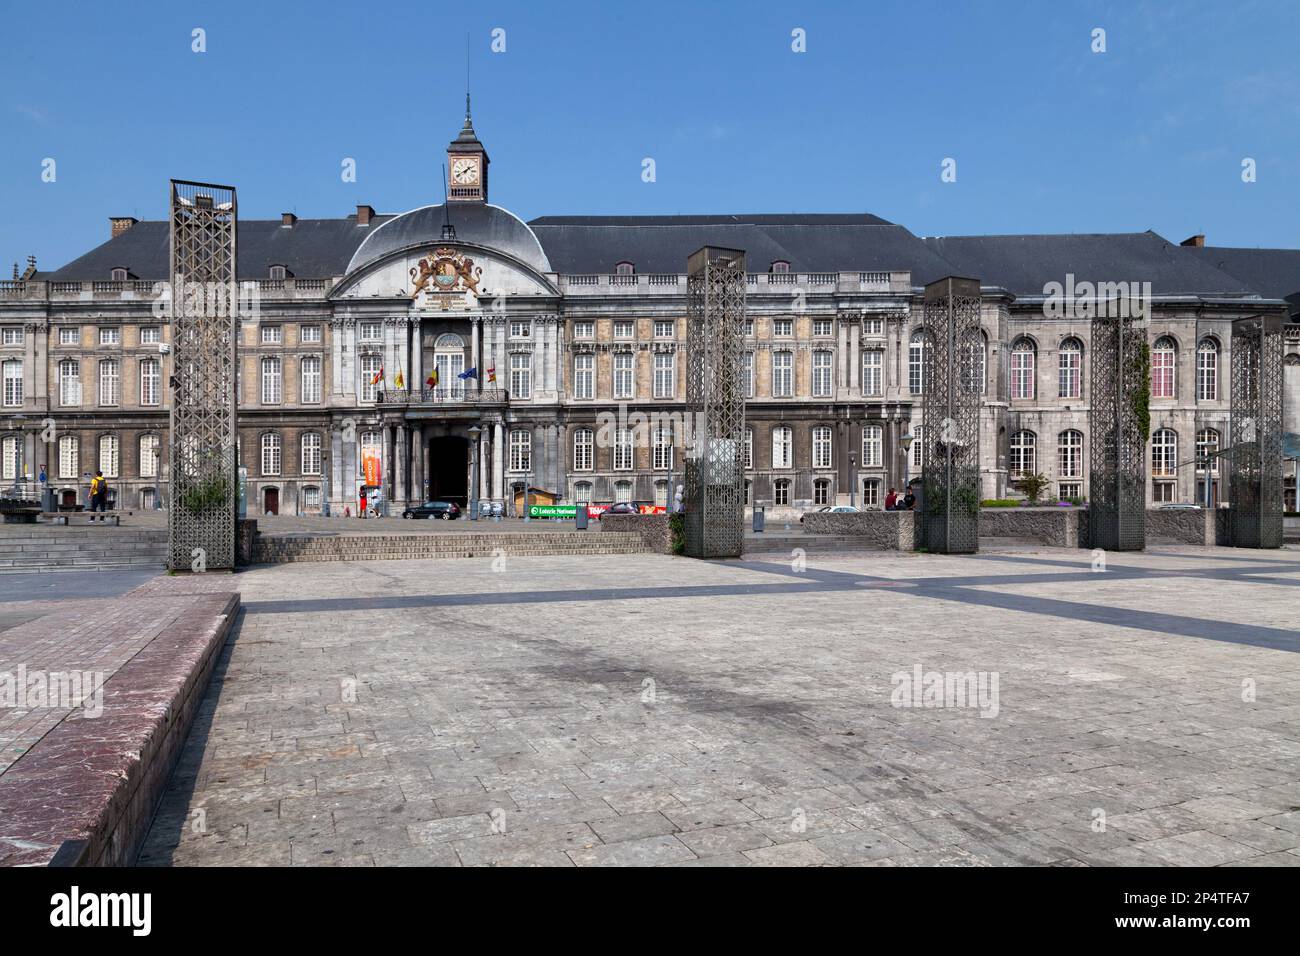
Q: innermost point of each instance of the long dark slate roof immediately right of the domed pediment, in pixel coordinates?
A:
(817, 243)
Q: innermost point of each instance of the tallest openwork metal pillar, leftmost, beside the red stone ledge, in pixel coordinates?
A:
(205, 341)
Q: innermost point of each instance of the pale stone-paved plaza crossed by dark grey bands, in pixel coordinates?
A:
(655, 711)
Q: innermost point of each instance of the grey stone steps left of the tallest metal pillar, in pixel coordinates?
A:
(80, 548)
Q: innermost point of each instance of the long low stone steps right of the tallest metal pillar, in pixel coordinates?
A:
(279, 550)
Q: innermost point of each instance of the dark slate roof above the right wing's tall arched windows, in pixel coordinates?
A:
(1025, 265)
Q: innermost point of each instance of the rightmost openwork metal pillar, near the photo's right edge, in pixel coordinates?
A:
(1255, 516)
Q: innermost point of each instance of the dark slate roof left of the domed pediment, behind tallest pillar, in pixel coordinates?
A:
(310, 249)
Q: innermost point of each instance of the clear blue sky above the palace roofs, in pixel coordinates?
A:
(1048, 136)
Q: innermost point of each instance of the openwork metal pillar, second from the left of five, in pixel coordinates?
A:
(716, 400)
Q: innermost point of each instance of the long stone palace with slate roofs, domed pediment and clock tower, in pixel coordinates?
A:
(424, 351)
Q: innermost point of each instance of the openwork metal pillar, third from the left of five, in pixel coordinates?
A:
(951, 400)
